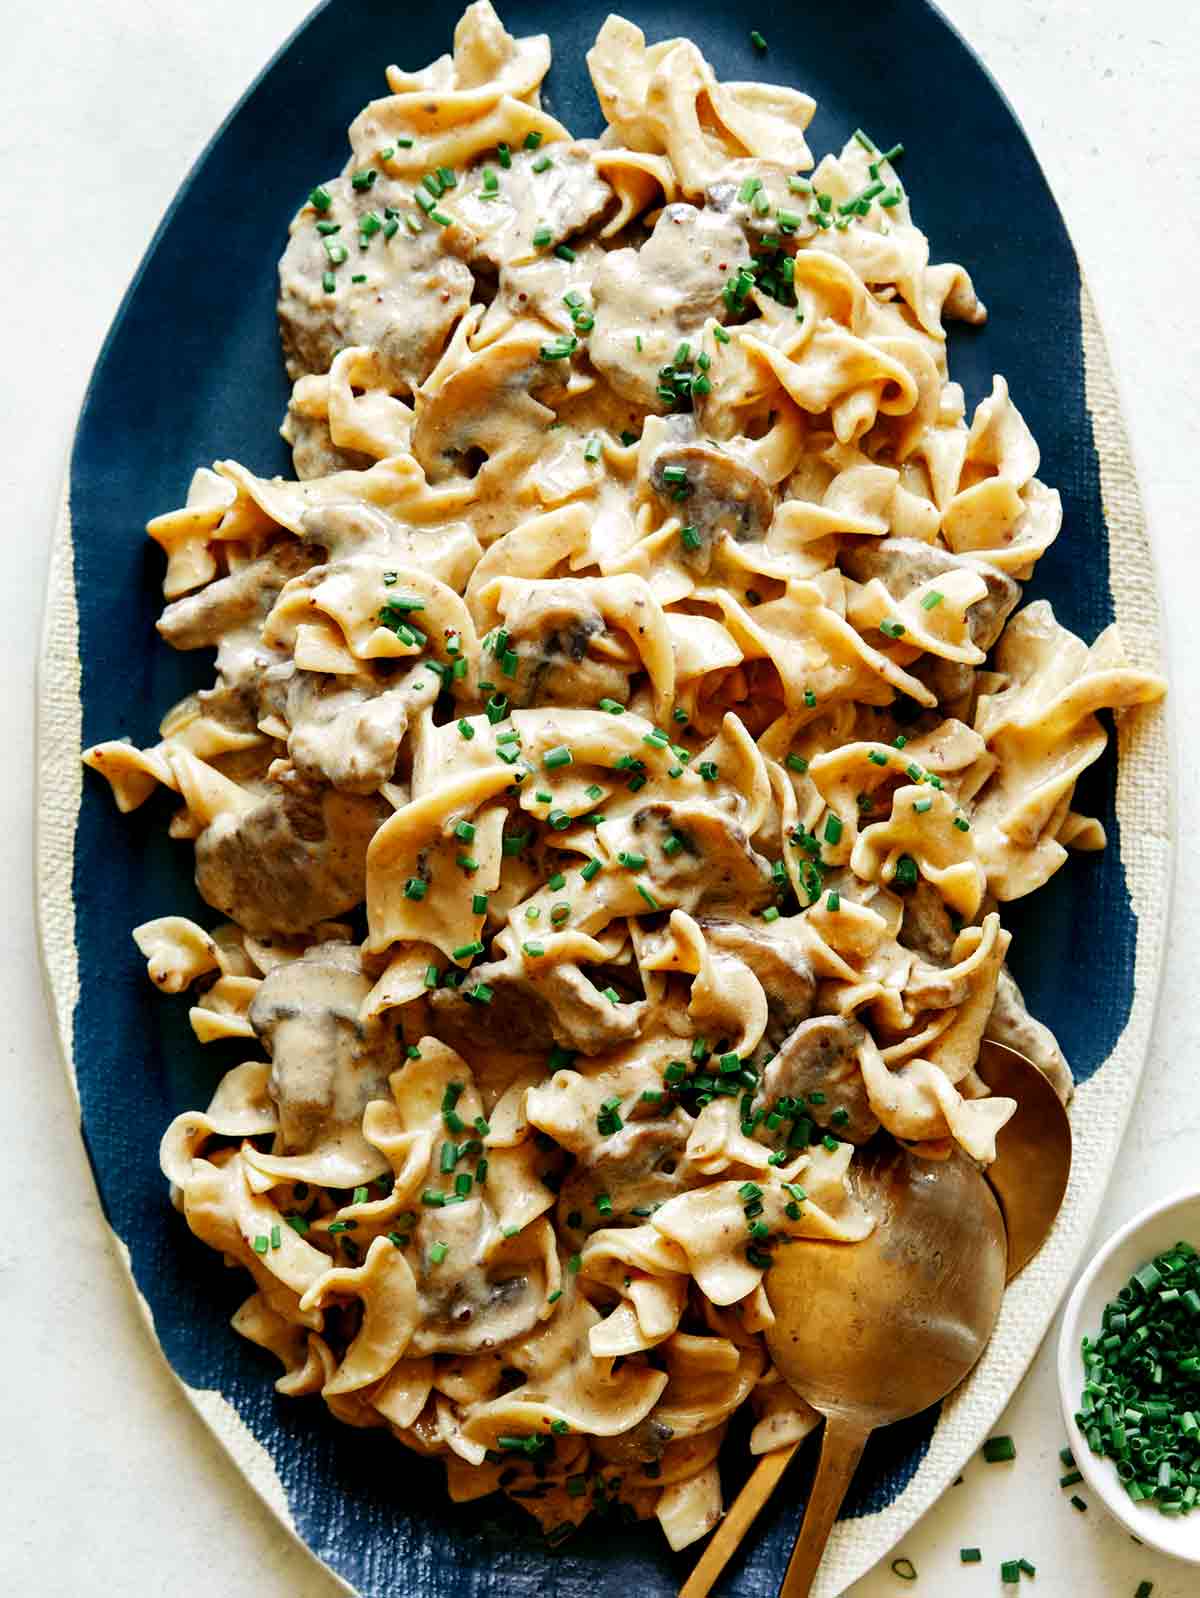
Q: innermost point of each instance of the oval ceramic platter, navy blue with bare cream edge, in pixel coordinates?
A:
(191, 373)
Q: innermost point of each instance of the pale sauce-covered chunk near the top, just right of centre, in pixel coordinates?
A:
(650, 300)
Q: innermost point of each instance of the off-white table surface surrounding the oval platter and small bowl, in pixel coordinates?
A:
(109, 1485)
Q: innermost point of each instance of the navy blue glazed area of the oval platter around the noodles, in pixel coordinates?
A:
(193, 373)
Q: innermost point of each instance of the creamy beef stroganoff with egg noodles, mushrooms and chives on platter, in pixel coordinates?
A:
(626, 734)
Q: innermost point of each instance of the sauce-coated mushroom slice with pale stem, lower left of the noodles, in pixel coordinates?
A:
(327, 1065)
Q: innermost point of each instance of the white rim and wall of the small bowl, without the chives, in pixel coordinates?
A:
(1148, 1234)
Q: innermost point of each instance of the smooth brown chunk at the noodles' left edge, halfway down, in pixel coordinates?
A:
(295, 859)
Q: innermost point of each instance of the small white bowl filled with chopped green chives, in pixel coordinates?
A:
(1129, 1377)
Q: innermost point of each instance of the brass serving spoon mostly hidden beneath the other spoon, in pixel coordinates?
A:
(1030, 1177)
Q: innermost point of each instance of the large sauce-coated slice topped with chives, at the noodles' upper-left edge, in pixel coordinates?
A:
(415, 293)
